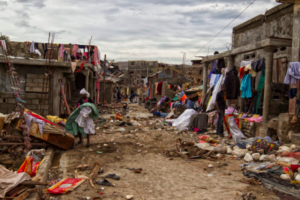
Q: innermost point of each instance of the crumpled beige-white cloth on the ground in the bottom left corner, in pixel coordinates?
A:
(9, 180)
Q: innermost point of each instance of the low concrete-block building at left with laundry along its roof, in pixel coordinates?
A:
(31, 68)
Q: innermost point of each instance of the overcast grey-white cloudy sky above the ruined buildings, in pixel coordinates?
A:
(130, 29)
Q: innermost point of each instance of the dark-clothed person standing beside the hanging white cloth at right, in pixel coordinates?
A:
(221, 106)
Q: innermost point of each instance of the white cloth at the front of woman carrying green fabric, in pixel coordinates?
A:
(84, 120)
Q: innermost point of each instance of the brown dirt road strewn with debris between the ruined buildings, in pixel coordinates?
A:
(162, 177)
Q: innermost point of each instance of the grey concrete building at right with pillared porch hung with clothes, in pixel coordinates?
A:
(273, 36)
